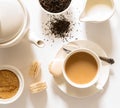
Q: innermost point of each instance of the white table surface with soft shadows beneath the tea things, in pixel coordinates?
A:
(106, 34)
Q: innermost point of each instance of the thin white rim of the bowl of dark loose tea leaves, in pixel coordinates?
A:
(57, 13)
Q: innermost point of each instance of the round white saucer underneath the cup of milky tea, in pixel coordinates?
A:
(81, 93)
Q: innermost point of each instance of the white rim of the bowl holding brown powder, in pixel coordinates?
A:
(21, 84)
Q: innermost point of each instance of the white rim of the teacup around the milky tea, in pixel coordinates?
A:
(95, 79)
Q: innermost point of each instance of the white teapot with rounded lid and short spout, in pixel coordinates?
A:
(14, 24)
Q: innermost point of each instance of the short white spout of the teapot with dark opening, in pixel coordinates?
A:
(35, 40)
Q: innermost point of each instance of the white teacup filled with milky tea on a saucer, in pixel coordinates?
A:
(81, 68)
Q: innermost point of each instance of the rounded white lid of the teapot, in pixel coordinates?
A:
(11, 19)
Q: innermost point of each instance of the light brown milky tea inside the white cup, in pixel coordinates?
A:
(81, 68)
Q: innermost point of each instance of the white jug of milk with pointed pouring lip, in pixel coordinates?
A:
(97, 10)
